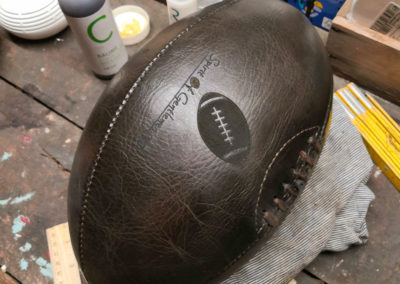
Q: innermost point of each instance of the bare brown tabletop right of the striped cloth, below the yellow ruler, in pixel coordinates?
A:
(377, 261)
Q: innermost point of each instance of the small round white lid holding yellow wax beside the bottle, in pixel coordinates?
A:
(133, 23)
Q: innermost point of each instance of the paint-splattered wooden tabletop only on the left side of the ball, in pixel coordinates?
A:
(46, 95)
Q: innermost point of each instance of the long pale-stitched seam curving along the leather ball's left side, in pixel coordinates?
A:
(115, 119)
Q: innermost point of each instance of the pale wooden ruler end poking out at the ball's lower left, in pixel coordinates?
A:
(63, 261)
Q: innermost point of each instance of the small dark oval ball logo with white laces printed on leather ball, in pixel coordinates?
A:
(223, 128)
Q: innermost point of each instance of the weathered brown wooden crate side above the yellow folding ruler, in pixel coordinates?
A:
(365, 57)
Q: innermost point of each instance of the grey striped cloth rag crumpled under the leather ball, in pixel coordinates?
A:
(328, 215)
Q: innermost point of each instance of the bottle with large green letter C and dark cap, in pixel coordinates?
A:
(94, 27)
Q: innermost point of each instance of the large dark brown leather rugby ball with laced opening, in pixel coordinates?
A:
(150, 202)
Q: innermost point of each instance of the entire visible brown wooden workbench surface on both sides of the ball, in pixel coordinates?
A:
(46, 95)
